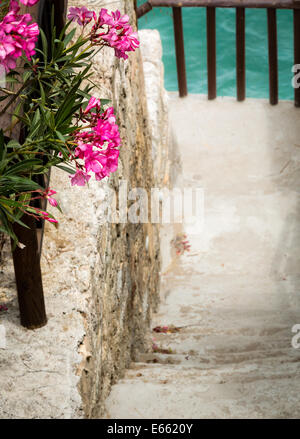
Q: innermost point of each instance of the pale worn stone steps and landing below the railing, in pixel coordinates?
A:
(235, 295)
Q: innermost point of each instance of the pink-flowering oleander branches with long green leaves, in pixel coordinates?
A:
(65, 126)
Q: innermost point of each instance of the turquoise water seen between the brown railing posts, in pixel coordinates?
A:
(194, 22)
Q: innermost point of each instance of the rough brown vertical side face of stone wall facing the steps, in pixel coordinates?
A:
(121, 270)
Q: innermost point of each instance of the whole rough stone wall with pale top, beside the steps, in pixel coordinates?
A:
(101, 280)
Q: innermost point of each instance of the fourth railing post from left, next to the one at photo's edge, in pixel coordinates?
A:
(273, 56)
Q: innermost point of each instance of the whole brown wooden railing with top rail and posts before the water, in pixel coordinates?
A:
(240, 5)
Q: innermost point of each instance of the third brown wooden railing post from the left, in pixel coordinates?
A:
(240, 54)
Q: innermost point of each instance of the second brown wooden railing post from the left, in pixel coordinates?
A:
(211, 52)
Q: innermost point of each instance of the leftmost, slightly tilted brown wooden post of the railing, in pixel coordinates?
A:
(179, 47)
